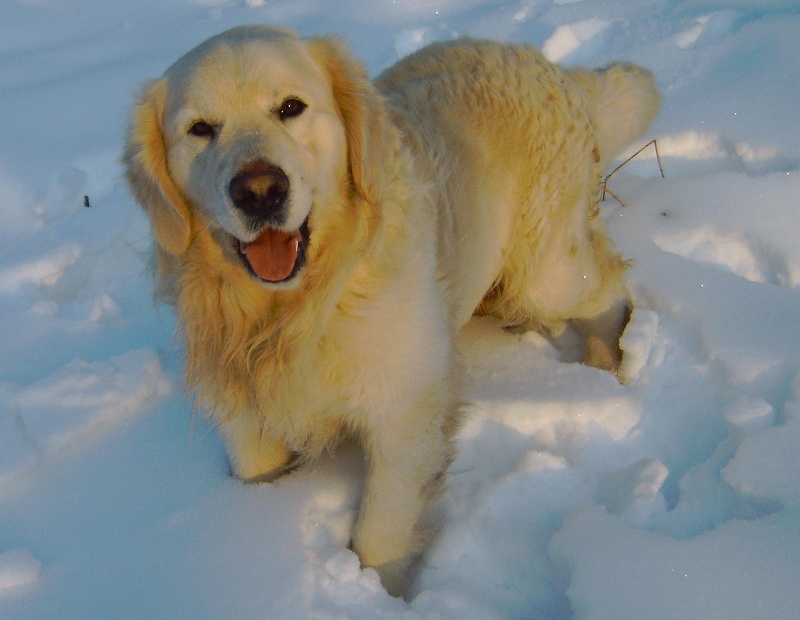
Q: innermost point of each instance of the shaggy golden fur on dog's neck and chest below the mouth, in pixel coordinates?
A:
(236, 329)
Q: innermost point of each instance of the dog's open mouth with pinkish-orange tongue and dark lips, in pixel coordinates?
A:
(275, 255)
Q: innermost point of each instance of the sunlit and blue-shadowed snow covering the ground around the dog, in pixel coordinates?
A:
(674, 496)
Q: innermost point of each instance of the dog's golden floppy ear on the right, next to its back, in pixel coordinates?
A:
(360, 106)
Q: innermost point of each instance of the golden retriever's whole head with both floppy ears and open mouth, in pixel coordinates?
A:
(250, 138)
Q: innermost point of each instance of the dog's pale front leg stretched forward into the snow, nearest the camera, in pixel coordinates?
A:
(408, 454)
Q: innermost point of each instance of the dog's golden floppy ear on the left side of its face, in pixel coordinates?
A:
(145, 161)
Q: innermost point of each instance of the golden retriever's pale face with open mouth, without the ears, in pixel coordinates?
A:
(254, 140)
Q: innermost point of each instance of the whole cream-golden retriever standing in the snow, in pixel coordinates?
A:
(324, 238)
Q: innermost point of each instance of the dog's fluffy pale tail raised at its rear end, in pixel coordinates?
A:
(625, 100)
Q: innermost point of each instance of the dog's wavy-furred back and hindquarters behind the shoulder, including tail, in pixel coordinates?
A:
(514, 148)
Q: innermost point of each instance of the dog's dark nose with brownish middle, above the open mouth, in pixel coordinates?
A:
(259, 190)
